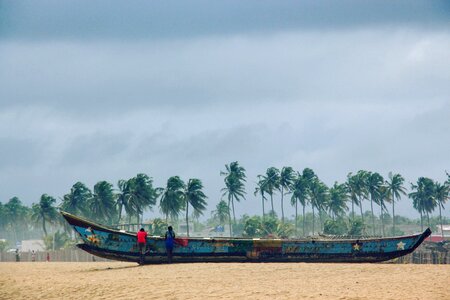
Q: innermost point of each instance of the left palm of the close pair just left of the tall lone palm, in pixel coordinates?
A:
(172, 201)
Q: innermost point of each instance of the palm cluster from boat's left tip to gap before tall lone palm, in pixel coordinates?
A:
(134, 196)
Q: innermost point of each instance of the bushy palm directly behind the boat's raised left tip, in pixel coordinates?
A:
(76, 202)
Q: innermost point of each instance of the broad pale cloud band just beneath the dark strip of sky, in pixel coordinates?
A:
(366, 65)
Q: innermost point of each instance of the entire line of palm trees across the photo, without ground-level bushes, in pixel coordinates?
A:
(127, 203)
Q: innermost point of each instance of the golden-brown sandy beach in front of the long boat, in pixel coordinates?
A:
(115, 280)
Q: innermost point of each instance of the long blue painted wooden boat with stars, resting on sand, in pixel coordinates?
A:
(113, 244)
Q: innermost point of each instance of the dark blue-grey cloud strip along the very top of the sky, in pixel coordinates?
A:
(185, 19)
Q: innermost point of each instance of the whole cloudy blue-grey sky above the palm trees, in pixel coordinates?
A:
(103, 90)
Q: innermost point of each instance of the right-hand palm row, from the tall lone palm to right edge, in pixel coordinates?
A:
(306, 188)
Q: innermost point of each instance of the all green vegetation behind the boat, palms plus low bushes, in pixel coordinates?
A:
(332, 209)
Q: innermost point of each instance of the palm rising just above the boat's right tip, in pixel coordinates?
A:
(423, 197)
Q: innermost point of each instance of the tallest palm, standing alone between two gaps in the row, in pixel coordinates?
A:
(234, 185)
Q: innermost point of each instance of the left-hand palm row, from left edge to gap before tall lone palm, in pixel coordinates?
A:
(106, 205)
